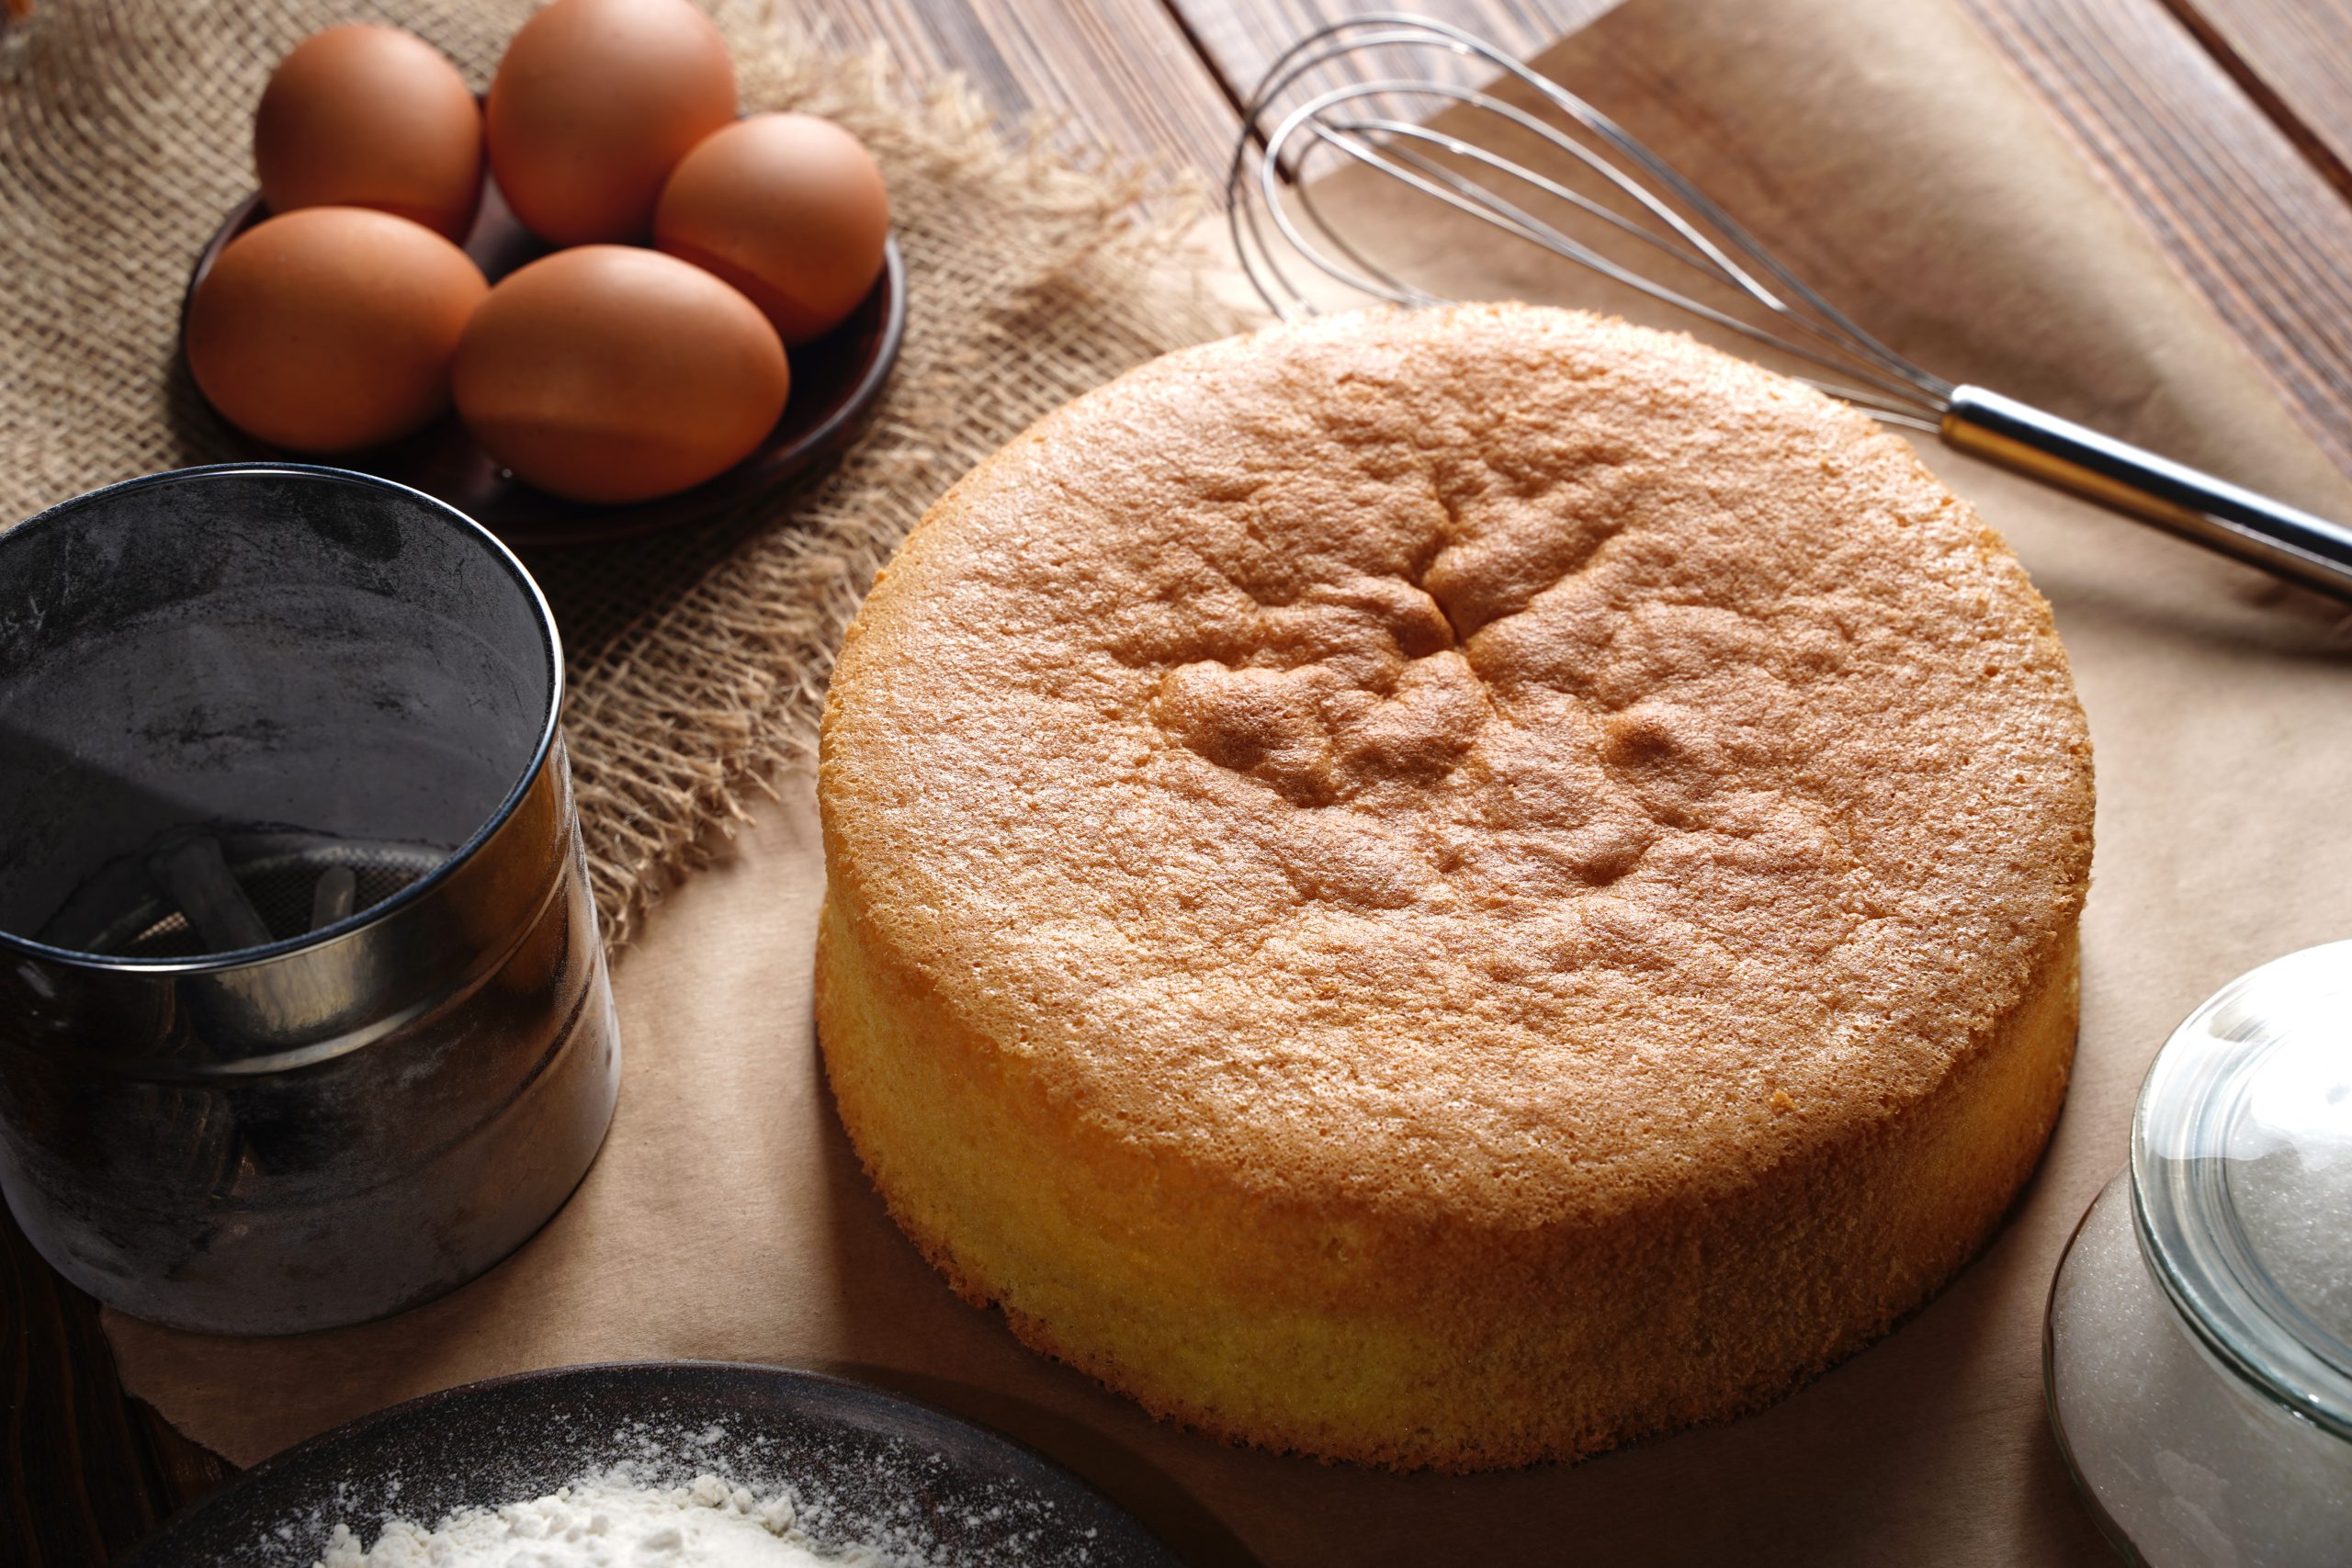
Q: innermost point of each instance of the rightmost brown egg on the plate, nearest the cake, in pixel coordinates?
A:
(787, 208)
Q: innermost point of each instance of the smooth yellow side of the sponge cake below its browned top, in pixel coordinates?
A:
(1391, 1341)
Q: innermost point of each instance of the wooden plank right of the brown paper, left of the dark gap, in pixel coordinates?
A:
(2229, 199)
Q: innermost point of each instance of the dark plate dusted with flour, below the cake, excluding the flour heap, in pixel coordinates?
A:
(862, 1466)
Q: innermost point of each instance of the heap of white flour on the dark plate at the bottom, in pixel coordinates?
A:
(603, 1522)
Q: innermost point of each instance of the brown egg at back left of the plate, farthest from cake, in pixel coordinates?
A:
(370, 119)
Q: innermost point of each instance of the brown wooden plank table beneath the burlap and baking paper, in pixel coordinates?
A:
(2224, 123)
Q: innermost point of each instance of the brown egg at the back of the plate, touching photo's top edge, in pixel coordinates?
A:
(594, 107)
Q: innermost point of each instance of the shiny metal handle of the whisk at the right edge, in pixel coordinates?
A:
(2198, 507)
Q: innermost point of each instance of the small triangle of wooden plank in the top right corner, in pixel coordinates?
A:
(2294, 60)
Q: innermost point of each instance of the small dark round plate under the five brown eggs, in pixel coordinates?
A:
(836, 382)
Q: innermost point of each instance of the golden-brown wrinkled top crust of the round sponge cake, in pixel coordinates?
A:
(1474, 760)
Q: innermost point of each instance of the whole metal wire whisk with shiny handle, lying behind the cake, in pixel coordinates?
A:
(1650, 229)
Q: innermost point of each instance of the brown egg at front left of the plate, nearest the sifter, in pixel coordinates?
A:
(330, 328)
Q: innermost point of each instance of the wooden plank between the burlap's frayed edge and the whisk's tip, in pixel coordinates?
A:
(1114, 74)
